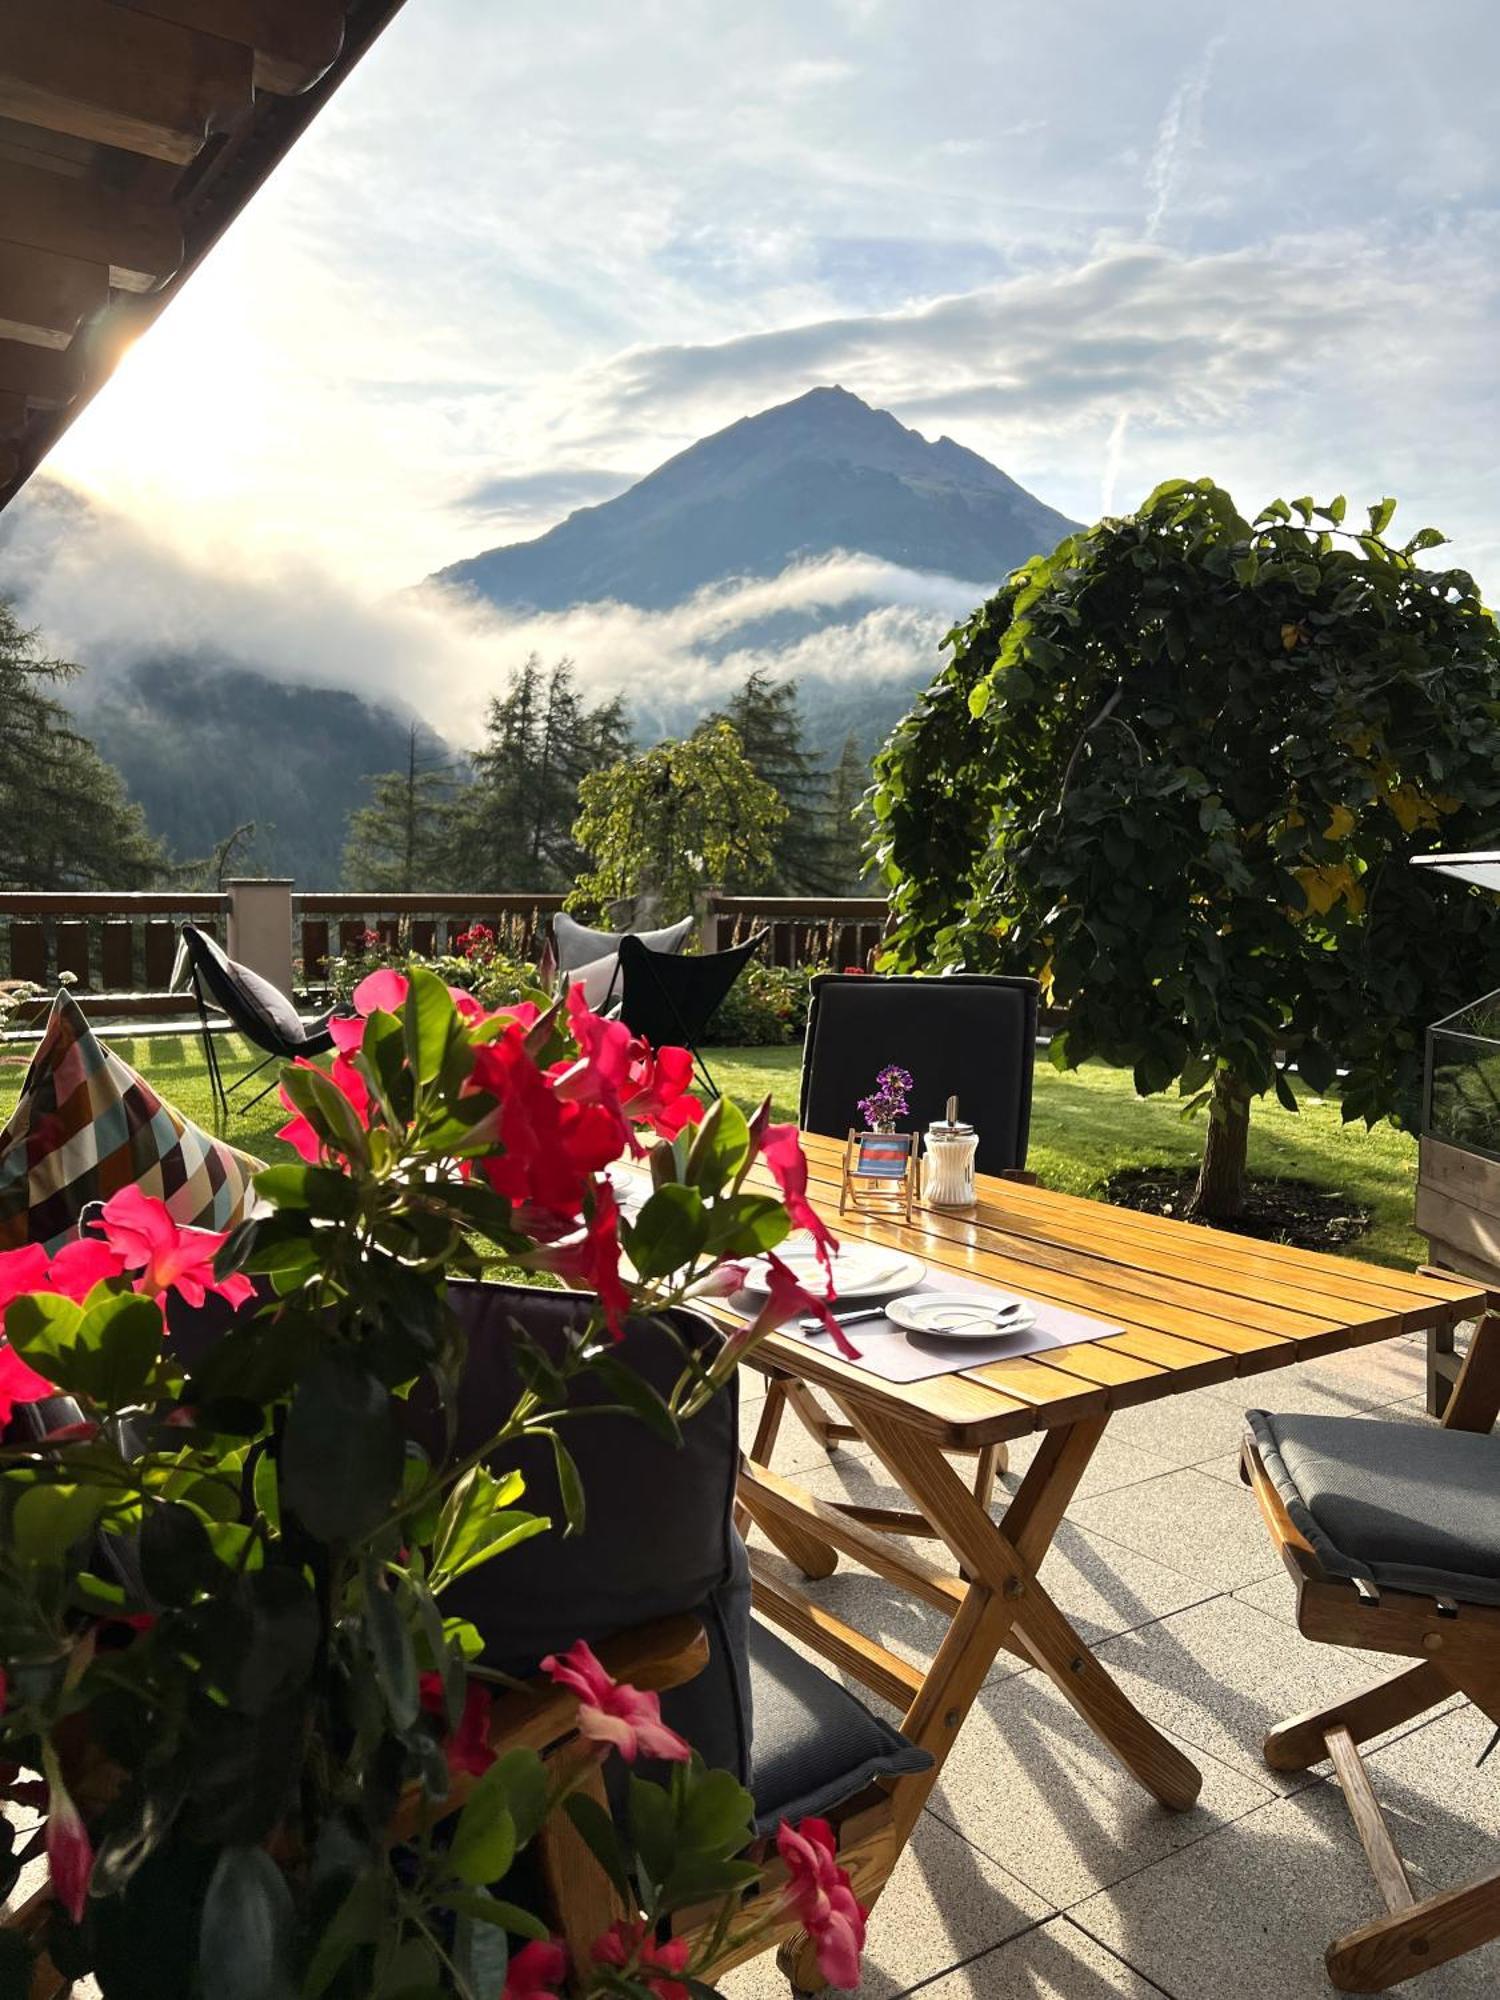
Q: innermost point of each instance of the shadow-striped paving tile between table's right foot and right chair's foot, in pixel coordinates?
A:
(1225, 1675)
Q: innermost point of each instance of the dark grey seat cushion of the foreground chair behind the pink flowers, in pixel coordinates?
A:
(815, 1745)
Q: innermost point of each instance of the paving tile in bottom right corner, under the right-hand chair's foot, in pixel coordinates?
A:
(1253, 1907)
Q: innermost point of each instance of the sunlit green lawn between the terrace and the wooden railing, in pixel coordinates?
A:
(1085, 1127)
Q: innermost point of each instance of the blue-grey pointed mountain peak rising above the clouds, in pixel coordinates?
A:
(803, 479)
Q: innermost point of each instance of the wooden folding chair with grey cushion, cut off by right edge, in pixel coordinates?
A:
(1393, 1537)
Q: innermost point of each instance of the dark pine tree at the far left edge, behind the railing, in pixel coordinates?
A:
(67, 819)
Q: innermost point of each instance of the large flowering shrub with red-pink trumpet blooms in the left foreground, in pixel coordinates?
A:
(261, 1743)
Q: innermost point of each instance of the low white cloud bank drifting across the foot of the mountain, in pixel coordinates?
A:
(109, 593)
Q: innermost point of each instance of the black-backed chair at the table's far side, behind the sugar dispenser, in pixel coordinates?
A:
(967, 1035)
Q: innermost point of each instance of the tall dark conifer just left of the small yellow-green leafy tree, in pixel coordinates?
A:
(543, 739)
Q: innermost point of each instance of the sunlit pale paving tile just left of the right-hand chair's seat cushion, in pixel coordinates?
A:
(1199, 1525)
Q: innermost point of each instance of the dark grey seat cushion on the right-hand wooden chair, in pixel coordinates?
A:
(1393, 1505)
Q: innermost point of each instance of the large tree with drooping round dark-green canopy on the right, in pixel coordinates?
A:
(1179, 771)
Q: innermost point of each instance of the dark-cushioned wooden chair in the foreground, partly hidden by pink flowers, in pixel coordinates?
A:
(657, 1581)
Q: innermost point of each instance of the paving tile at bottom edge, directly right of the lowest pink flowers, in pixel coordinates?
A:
(945, 1905)
